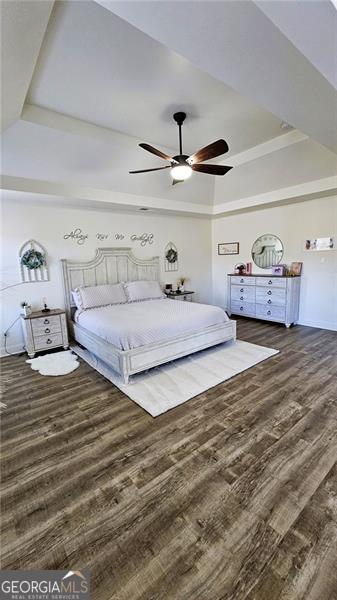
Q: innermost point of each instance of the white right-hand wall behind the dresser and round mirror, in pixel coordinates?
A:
(292, 224)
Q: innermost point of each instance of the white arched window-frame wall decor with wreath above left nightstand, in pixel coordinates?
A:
(33, 262)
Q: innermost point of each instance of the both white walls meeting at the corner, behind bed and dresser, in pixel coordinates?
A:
(198, 257)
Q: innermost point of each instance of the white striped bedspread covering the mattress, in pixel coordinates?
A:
(136, 324)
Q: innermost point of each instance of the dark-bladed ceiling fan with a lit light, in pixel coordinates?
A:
(182, 166)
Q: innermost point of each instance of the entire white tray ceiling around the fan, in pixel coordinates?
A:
(99, 85)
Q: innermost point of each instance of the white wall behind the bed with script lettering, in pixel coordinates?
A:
(47, 225)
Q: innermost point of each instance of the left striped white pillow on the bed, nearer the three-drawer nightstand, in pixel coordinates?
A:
(99, 295)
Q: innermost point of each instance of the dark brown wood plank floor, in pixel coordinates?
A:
(232, 495)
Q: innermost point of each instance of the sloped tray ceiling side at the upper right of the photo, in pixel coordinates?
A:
(238, 44)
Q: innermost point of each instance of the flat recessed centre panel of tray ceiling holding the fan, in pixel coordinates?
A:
(98, 68)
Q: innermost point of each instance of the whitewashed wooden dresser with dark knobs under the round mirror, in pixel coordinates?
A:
(265, 297)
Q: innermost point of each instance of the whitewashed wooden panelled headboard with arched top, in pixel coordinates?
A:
(110, 265)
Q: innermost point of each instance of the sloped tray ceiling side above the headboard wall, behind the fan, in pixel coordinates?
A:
(33, 151)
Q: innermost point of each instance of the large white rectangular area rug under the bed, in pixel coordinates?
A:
(164, 387)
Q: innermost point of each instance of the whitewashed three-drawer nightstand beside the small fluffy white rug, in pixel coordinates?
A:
(43, 331)
